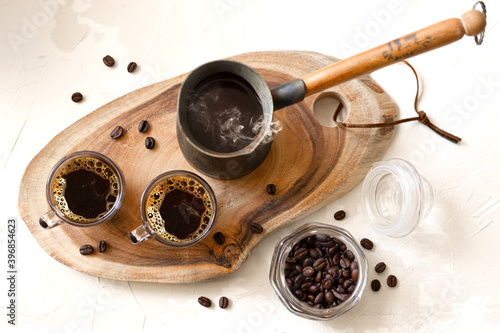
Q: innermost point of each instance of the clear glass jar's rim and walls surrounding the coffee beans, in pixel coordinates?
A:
(277, 271)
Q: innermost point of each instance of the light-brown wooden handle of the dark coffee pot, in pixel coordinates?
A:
(440, 34)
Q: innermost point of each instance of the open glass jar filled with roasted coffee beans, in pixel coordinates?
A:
(317, 268)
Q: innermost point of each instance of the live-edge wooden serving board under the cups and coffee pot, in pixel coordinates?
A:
(310, 164)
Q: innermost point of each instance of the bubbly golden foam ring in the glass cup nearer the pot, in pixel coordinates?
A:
(157, 195)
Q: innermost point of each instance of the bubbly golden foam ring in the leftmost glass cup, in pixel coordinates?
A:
(94, 165)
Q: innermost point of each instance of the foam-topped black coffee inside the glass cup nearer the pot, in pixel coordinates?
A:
(179, 209)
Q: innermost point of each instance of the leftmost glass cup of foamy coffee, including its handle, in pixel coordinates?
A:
(83, 189)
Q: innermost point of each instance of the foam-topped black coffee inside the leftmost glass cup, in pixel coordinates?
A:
(85, 189)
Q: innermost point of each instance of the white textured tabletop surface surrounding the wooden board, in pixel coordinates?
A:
(448, 269)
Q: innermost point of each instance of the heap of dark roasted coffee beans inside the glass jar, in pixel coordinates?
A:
(322, 282)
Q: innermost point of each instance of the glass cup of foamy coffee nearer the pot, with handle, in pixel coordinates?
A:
(178, 208)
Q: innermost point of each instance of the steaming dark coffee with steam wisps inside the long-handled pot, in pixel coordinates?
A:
(225, 119)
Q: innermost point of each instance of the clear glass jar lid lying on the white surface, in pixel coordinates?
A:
(395, 197)
